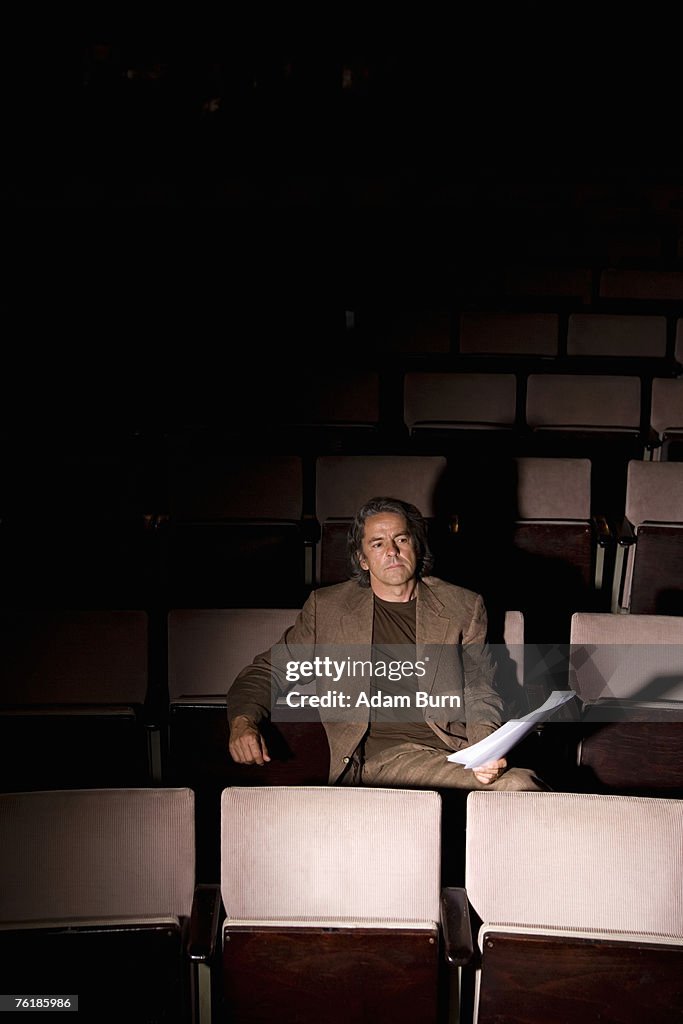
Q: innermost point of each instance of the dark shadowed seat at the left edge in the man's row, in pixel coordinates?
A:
(77, 708)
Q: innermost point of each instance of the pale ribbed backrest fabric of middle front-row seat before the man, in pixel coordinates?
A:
(302, 855)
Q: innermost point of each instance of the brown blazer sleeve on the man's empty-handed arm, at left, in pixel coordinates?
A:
(259, 685)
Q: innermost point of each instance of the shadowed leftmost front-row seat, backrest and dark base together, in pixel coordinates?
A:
(97, 897)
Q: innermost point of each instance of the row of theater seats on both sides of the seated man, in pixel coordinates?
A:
(89, 701)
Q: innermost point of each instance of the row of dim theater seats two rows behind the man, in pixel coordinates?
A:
(471, 403)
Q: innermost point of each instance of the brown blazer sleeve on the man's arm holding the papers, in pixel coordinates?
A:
(484, 707)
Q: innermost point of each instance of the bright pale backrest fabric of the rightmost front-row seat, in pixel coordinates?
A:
(577, 862)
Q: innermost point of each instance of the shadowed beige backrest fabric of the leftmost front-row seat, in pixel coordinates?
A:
(97, 854)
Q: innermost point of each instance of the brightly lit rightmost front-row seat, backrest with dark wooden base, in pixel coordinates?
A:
(576, 909)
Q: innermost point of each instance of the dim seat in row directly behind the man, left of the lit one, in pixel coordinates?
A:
(235, 532)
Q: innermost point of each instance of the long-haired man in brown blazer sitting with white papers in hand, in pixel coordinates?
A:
(390, 605)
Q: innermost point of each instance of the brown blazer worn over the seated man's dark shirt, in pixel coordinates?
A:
(451, 626)
